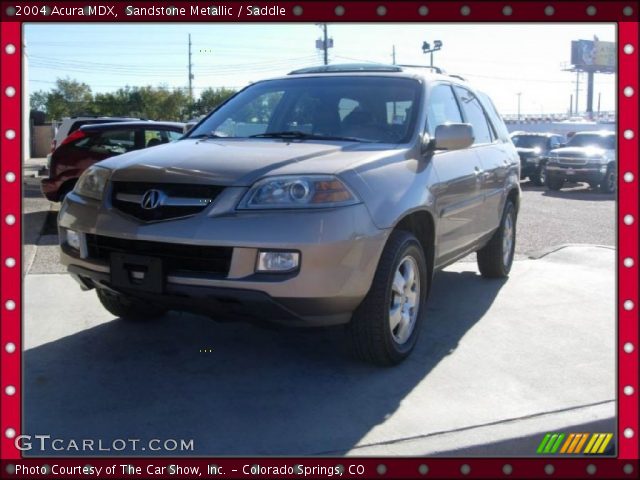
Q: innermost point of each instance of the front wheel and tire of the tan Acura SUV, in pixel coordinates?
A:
(373, 338)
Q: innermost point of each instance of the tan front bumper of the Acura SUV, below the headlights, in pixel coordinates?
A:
(339, 251)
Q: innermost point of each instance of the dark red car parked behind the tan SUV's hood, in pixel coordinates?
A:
(92, 143)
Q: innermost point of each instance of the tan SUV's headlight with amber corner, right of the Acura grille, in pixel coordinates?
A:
(293, 191)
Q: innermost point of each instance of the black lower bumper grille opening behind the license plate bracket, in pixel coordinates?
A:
(176, 257)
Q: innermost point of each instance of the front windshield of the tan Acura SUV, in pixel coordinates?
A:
(357, 108)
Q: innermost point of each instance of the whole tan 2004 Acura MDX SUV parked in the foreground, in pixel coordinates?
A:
(329, 196)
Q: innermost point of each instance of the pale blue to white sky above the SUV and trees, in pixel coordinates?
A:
(500, 59)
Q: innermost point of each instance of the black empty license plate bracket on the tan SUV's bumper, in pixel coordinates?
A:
(137, 272)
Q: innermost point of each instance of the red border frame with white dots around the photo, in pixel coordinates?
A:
(527, 11)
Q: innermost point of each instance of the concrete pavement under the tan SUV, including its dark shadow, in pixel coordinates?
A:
(496, 361)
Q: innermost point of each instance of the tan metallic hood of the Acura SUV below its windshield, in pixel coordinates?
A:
(237, 162)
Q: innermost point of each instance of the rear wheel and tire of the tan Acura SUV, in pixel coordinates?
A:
(496, 257)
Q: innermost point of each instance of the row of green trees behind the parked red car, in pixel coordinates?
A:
(71, 98)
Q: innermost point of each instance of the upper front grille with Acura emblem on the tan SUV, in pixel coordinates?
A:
(171, 190)
